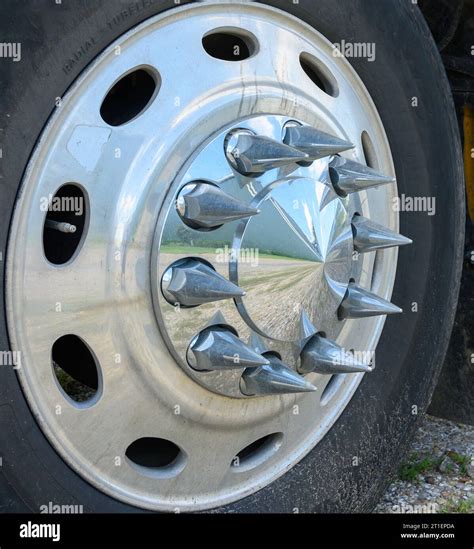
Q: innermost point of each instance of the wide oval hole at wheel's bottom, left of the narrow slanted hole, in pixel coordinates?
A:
(157, 457)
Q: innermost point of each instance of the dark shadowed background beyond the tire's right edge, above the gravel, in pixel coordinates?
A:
(452, 24)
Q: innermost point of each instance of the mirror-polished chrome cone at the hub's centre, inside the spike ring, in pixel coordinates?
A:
(294, 258)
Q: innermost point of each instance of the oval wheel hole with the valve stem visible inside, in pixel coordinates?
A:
(65, 224)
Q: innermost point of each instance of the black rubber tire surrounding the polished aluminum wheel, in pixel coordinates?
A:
(59, 41)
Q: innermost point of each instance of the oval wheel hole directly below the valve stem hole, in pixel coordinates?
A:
(76, 369)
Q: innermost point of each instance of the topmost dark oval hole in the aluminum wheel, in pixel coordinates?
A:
(229, 44)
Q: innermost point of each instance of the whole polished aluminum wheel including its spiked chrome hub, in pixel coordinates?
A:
(232, 264)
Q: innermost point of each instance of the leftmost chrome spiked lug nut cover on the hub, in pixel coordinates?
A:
(191, 282)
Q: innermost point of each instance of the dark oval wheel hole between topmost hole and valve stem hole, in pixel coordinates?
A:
(130, 96)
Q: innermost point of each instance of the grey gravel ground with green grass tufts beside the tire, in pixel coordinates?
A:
(438, 473)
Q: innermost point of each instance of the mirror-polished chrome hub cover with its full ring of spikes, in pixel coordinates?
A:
(301, 220)
